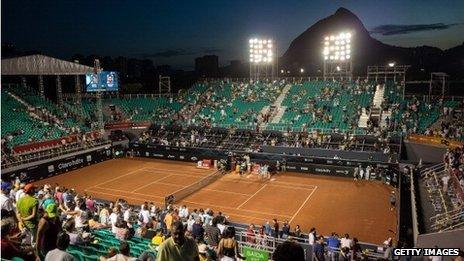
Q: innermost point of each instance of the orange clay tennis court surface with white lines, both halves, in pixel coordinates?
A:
(331, 204)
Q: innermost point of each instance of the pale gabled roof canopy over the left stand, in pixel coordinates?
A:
(42, 65)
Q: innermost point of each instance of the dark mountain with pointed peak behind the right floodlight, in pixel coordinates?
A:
(305, 51)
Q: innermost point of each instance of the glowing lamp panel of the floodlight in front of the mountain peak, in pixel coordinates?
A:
(337, 47)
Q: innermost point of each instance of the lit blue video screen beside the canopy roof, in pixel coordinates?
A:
(102, 82)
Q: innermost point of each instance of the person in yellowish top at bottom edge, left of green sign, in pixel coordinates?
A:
(178, 247)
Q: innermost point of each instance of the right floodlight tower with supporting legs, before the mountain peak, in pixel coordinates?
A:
(337, 55)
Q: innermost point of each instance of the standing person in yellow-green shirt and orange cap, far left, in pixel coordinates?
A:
(27, 211)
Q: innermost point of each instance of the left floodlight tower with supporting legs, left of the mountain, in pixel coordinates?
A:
(262, 58)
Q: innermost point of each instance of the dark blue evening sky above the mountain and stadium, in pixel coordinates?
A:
(175, 32)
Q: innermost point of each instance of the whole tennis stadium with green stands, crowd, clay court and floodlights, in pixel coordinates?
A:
(336, 166)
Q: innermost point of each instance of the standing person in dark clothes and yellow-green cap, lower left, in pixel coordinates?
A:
(48, 229)
